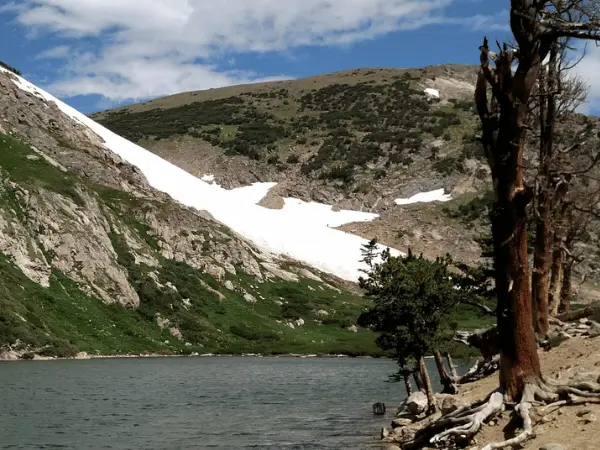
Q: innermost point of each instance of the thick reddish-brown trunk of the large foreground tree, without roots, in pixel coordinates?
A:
(503, 138)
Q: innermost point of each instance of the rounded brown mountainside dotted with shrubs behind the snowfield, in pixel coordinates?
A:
(356, 139)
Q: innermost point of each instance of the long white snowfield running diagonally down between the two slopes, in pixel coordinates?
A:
(299, 230)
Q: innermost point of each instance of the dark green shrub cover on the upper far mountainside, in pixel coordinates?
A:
(349, 125)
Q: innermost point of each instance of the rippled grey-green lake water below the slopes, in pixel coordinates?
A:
(195, 403)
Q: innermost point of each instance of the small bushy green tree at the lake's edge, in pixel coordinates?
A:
(413, 301)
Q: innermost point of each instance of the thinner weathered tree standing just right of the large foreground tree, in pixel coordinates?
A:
(557, 96)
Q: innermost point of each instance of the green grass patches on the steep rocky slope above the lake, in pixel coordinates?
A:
(62, 319)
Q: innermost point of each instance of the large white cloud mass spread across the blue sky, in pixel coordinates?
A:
(158, 47)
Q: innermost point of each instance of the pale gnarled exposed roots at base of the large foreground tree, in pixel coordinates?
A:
(459, 427)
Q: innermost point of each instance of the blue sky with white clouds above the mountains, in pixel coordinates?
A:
(97, 54)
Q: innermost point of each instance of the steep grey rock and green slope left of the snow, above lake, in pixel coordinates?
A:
(93, 259)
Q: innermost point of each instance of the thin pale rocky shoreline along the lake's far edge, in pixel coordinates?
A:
(14, 356)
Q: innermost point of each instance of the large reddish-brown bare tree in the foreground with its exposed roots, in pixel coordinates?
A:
(536, 27)
